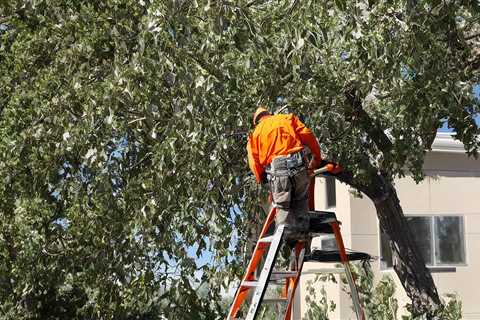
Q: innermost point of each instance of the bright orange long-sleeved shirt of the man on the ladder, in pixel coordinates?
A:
(278, 135)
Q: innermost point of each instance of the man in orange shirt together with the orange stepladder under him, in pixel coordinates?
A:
(276, 154)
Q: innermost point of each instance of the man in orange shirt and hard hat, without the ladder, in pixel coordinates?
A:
(276, 154)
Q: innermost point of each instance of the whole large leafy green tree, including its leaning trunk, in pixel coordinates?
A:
(122, 135)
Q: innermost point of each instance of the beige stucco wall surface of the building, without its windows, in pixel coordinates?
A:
(451, 187)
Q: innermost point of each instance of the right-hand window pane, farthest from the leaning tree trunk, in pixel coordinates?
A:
(449, 242)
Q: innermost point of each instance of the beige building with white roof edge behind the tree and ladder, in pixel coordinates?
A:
(443, 211)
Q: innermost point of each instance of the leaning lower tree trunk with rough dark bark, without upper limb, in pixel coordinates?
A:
(407, 261)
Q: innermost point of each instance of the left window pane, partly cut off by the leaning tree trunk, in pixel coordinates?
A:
(421, 230)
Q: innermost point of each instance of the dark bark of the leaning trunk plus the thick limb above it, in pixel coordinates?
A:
(407, 261)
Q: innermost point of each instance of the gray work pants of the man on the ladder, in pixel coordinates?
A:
(290, 196)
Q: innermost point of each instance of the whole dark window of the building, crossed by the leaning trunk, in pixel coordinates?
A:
(440, 240)
